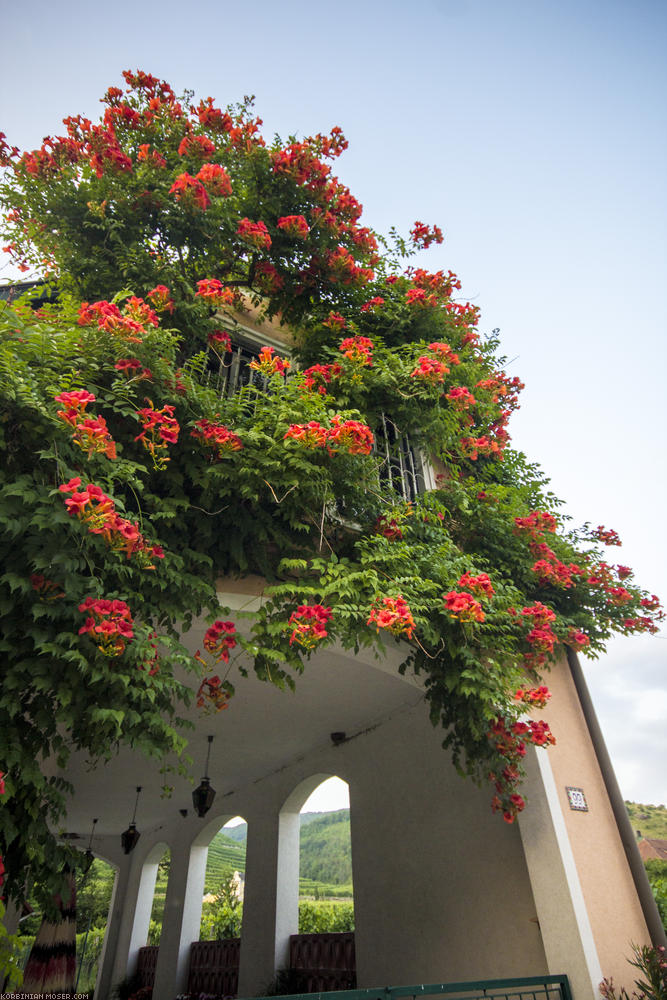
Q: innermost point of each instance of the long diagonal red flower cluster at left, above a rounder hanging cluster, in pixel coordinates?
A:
(97, 510)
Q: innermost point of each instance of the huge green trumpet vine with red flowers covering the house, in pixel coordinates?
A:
(168, 193)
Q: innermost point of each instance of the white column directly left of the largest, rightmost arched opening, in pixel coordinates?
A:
(271, 900)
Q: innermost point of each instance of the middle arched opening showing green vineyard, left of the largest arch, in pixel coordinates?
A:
(224, 885)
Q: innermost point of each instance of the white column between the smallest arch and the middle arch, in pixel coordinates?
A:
(181, 920)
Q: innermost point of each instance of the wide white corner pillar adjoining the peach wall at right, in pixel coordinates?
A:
(566, 931)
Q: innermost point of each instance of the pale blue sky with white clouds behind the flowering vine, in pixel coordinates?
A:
(535, 134)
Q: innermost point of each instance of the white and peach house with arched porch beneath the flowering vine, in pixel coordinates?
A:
(560, 892)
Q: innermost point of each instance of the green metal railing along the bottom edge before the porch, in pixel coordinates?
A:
(531, 988)
